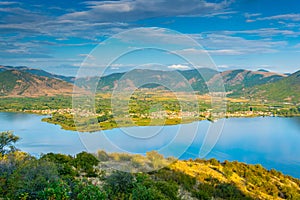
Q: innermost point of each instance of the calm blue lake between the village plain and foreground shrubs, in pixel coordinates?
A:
(273, 142)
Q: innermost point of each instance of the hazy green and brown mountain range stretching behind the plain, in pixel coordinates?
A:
(24, 81)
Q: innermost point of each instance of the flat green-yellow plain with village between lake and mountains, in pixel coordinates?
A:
(142, 108)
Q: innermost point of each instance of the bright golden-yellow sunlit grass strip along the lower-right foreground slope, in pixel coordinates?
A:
(252, 180)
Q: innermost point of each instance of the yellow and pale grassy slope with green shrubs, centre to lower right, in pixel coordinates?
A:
(204, 179)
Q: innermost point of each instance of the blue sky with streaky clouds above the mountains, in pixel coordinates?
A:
(62, 36)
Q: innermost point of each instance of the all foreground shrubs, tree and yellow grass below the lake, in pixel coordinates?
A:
(86, 176)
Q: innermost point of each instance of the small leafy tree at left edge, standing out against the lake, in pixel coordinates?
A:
(7, 139)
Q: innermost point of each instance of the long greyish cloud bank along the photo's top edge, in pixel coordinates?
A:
(125, 10)
